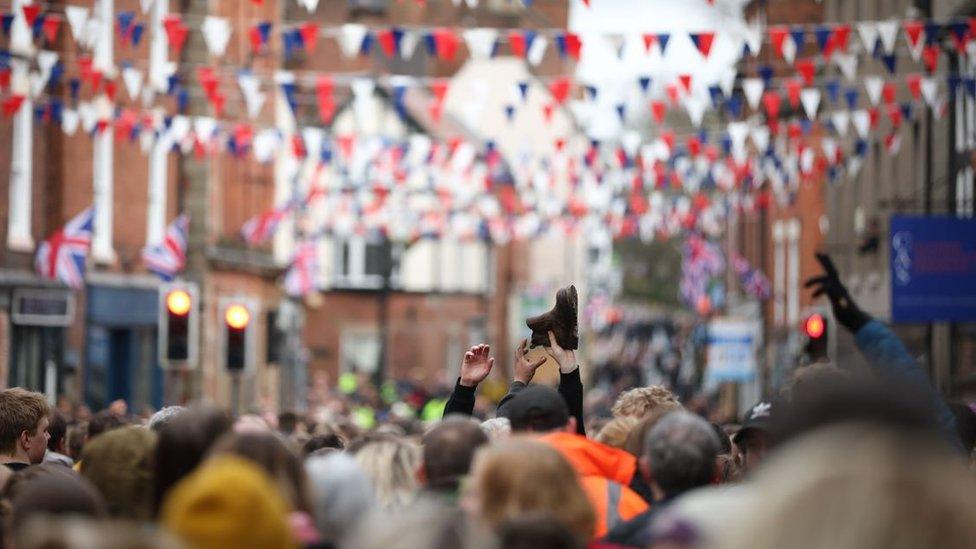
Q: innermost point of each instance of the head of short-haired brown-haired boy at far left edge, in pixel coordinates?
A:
(23, 425)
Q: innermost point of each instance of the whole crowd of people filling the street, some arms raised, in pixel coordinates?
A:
(845, 459)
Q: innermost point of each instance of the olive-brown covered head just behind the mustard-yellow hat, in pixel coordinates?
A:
(120, 464)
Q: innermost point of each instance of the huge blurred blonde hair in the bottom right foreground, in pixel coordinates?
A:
(858, 486)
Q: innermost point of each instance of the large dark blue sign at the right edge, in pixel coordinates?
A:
(933, 269)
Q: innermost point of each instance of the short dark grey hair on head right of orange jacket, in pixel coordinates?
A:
(681, 450)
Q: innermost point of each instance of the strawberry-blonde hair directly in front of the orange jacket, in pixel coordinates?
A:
(519, 476)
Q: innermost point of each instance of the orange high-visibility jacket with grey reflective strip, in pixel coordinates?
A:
(605, 473)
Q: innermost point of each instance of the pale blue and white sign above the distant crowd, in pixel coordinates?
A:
(731, 351)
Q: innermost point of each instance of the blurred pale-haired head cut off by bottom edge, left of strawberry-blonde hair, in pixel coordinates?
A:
(427, 524)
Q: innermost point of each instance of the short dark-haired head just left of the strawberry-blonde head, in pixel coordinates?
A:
(448, 449)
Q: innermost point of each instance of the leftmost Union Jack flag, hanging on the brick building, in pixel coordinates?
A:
(62, 256)
